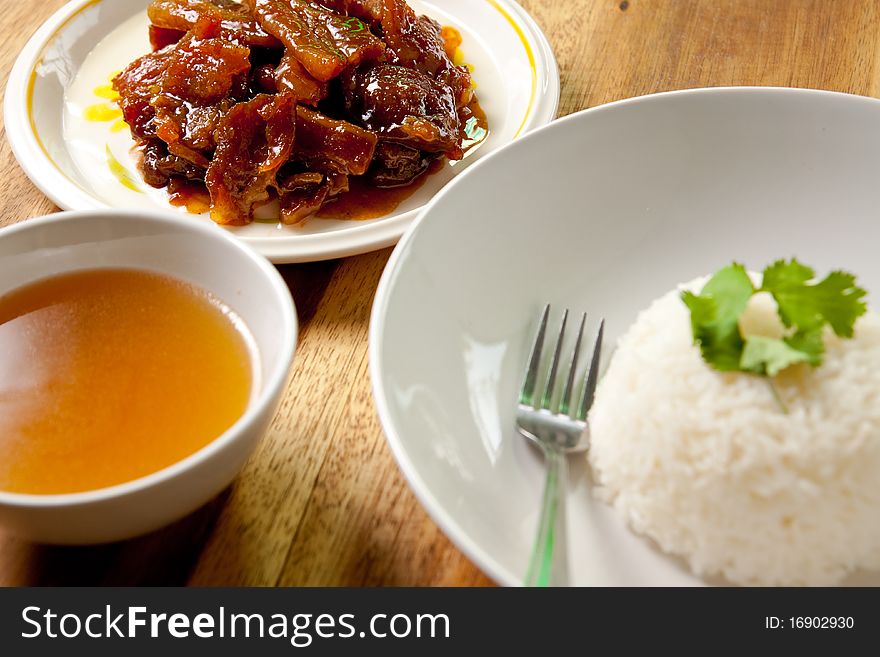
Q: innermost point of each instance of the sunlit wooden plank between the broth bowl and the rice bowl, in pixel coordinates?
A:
(253, 535)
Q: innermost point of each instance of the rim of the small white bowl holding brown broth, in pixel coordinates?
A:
(273, 386)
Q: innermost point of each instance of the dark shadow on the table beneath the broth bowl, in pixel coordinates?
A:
(163, 558)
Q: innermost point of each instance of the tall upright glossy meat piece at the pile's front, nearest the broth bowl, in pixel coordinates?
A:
(254, 140)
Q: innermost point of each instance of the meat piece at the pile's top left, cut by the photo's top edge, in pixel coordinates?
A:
(236, 20)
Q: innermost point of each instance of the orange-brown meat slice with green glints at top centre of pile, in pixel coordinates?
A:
(325, 43)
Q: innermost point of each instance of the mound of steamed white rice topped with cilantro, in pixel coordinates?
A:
(709, 466)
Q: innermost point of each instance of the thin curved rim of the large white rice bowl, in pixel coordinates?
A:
(451, 528)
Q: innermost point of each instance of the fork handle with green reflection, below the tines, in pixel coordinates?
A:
(548, 565)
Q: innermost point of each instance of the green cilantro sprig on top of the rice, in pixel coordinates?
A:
(804, 306)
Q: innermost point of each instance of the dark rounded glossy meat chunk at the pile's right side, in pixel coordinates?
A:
(406, 106)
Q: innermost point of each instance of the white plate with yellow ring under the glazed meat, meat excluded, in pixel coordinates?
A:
(79, 48)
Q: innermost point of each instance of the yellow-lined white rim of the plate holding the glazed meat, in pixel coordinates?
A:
(347, 241)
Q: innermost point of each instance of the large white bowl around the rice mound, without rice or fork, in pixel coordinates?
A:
(602, 211)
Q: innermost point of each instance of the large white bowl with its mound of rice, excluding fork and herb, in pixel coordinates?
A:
(695, 477)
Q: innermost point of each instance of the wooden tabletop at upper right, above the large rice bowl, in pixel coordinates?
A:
(609, 49)
